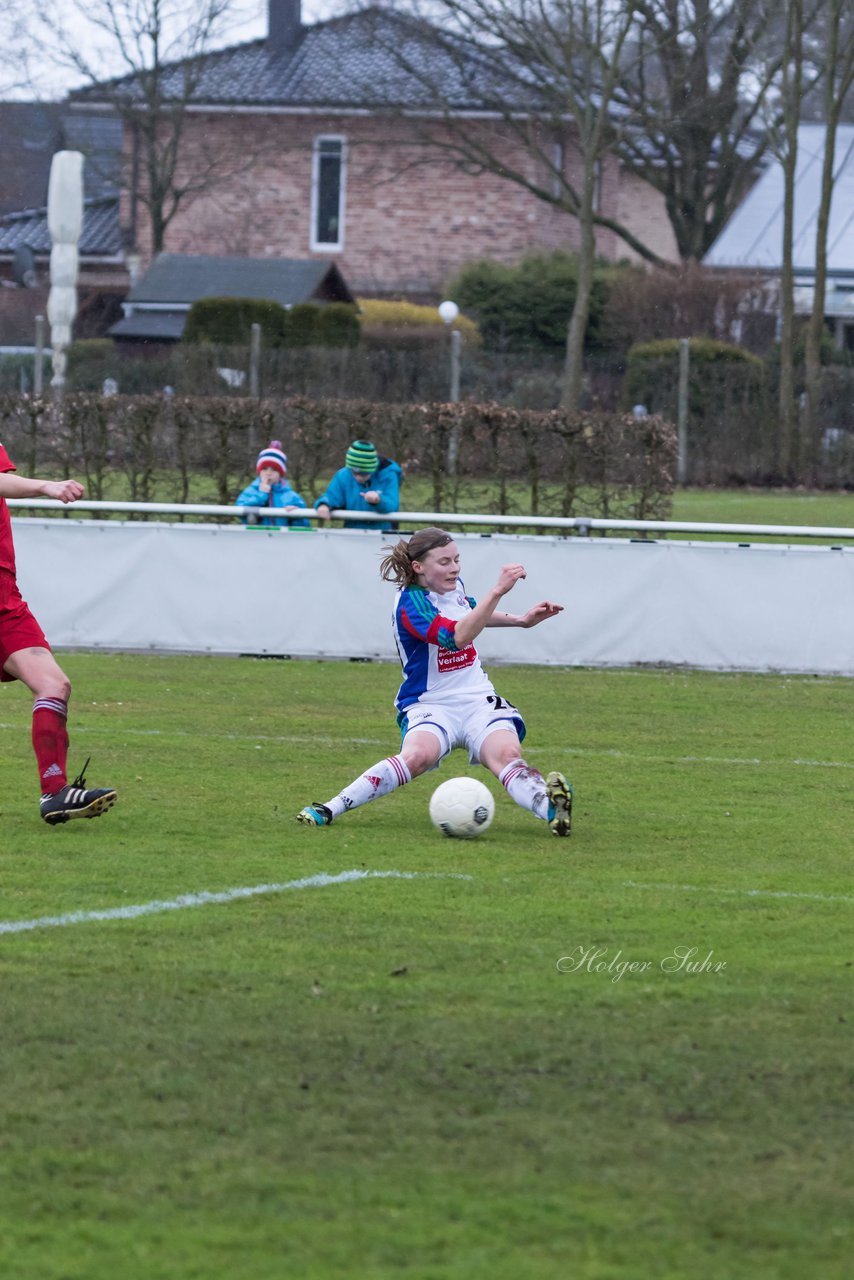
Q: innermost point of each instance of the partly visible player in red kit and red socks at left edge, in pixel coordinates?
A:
(25, 656)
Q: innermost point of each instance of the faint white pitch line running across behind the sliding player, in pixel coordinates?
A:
(321, 740)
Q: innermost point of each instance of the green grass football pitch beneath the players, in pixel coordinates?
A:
(447, 1073)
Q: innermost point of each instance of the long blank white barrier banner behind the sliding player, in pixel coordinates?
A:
(318, 593)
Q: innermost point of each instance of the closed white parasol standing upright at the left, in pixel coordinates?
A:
(65, 223)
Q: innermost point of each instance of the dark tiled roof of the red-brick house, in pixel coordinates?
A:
(351, 62)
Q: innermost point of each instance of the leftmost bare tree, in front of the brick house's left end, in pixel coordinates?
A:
(162, 48)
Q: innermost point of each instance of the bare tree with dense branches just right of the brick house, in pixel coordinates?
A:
(696, 86)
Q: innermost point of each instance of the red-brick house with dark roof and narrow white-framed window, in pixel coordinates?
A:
(314, 158)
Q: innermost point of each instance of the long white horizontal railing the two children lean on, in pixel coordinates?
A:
(583, 525)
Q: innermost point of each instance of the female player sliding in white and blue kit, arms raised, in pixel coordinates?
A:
(446, 698)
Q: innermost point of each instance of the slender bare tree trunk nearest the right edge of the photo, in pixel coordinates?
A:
(838, 80)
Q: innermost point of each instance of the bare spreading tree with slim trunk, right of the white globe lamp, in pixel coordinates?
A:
(515, 89)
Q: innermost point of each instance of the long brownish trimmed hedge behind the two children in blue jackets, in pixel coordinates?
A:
(555, 463)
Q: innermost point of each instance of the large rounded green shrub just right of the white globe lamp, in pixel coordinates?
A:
(528, 307)
